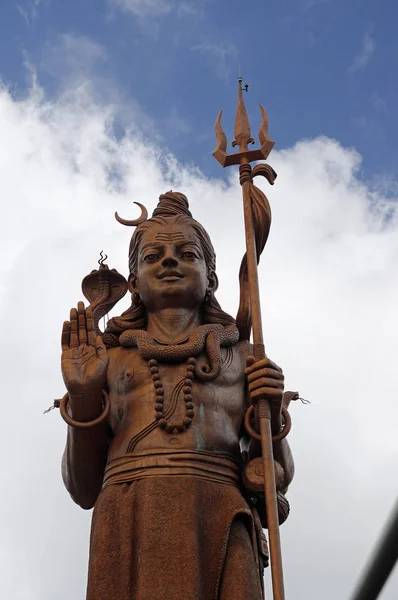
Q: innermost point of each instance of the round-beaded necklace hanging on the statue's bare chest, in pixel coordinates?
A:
(163, 423)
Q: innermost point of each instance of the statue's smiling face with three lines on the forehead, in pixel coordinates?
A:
(171, 270)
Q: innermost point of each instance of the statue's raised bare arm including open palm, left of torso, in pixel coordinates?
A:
(84, 369)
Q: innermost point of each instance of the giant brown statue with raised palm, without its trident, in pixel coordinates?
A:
(156, 408)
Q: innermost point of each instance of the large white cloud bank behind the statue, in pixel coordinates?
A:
(329, 293)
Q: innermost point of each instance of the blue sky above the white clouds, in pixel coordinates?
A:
(320, 67)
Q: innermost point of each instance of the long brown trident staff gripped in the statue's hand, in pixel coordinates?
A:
(252, 198)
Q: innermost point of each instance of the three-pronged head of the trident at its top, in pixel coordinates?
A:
(242, 136)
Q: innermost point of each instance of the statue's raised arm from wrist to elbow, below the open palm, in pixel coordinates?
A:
(84, 459)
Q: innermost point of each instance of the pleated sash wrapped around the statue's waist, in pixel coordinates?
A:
(214, 466)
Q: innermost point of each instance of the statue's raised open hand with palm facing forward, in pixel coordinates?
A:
(84, 358)
